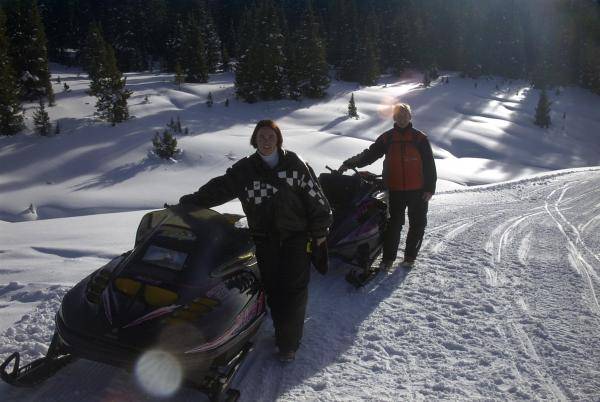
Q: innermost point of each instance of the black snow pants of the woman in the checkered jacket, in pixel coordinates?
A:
(284, 268)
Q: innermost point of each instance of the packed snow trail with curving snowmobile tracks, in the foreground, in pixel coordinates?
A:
(503, 304)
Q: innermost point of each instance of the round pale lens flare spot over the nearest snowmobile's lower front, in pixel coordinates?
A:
(159, 373)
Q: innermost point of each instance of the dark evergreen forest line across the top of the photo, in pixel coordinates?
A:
(287, 48)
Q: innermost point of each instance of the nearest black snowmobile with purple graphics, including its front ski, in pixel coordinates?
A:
(190, 287)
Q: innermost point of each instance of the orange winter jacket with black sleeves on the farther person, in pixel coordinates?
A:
(408, 163)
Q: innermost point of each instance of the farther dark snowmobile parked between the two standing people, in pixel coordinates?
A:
(359, 205)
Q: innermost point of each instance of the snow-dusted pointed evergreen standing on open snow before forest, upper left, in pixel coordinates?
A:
(109, 89)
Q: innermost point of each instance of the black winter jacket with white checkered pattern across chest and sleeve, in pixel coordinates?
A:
(280, 201)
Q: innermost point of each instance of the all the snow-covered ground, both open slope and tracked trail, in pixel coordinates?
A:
(503, 304)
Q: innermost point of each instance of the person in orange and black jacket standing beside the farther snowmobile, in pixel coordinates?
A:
(410, 177)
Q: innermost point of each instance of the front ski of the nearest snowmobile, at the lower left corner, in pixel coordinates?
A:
(35, 372)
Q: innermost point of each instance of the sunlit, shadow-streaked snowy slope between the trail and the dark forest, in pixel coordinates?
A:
(480, 135)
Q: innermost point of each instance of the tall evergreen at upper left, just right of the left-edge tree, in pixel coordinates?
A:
(28, 50)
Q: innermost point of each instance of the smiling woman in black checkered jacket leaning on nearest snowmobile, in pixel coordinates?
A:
(285, 208)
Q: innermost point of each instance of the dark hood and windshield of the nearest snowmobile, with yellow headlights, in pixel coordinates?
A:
(191, 268)
